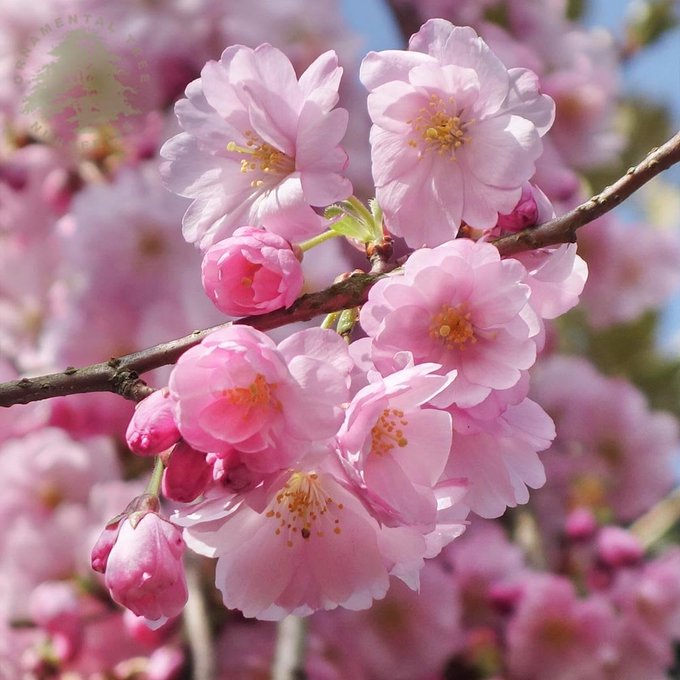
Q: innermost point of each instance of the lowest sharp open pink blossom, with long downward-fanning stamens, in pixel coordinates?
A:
(298, 543)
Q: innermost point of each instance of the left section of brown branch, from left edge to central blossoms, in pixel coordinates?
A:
(121, 375)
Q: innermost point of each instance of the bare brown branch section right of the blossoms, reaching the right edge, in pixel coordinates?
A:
(563, 228)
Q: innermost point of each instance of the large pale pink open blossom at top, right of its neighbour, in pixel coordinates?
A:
(455, 134)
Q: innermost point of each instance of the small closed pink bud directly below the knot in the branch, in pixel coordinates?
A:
(152, 428)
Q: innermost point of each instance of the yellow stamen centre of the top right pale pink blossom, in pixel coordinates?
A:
(437, 129)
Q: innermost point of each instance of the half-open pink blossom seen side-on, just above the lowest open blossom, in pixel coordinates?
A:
(393, 450)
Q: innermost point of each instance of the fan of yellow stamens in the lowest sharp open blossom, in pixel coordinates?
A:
(303, 509)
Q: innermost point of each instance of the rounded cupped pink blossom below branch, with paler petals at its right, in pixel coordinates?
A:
(238, 390)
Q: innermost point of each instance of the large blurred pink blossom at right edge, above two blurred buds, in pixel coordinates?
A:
(612, 452)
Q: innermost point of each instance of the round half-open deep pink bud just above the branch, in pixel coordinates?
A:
(251, 272)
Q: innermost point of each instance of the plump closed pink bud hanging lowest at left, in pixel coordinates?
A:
(144, 570)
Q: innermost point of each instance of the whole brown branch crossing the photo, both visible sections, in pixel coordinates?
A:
(121, 375)
